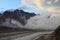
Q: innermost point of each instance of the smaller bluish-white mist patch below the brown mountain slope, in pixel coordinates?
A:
(13, 23)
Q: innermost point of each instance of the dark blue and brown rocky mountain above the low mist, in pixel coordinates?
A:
(18, 15)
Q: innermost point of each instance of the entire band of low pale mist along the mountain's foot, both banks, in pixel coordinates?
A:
(44, 21)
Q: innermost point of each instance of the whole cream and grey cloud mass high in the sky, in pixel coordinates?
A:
(48, 5)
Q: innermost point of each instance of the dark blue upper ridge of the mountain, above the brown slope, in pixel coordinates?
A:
(20, 13)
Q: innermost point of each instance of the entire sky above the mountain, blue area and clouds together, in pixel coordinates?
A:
(36, 6)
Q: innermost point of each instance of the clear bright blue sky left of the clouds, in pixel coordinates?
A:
(9, 4)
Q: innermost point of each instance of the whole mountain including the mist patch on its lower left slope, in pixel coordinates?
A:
(15, 18)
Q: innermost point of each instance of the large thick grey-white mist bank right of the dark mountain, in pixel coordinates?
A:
(43, 22)
